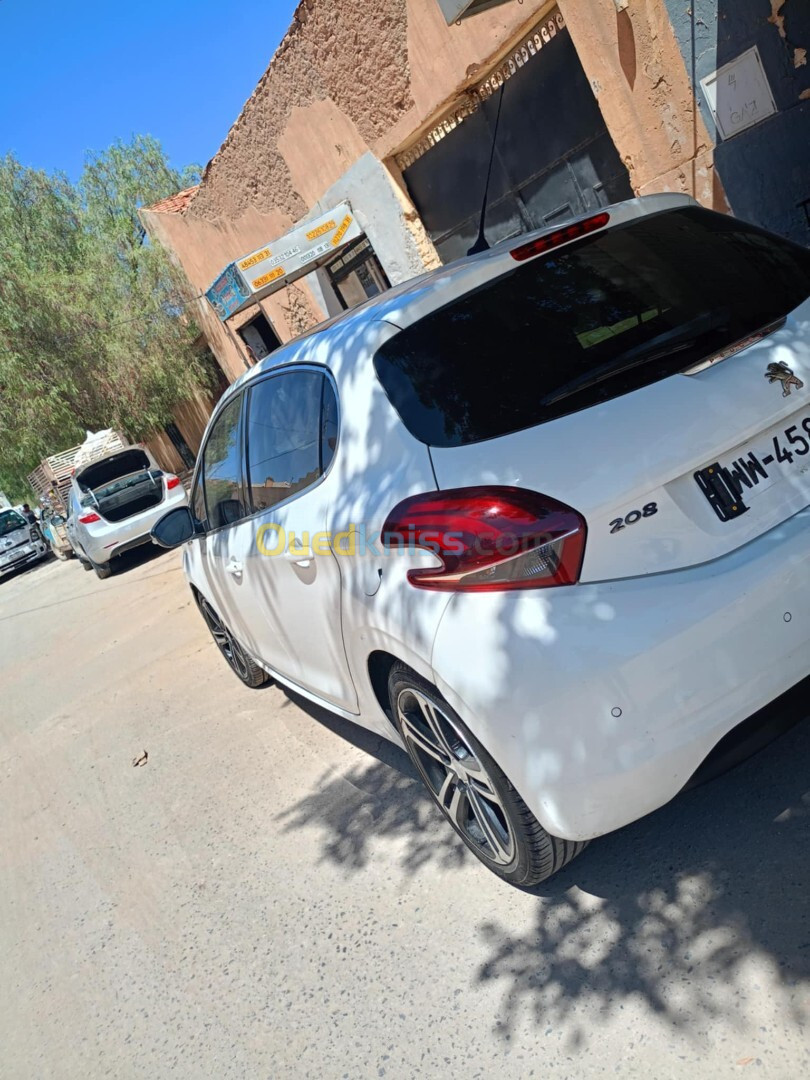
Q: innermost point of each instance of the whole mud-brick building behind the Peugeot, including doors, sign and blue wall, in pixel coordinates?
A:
(360, 159)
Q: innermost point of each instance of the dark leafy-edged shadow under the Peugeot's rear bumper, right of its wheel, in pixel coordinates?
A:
(677, 909)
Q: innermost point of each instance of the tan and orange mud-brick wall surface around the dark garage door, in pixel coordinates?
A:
(355, 85)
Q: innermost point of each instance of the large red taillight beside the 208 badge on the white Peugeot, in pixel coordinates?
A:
(490, 539)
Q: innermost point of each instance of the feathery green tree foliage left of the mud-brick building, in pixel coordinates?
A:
(94, 323)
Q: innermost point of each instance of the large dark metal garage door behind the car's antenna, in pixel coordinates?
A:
(555, 158)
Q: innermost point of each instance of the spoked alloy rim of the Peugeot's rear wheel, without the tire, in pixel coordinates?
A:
(458, 780)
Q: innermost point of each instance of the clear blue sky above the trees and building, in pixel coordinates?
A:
(78, 74)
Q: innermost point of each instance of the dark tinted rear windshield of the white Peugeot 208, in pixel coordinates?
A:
(606, 316)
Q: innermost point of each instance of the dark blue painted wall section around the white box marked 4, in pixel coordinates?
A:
(766, 169)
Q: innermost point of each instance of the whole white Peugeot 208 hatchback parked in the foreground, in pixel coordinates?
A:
(542, 516)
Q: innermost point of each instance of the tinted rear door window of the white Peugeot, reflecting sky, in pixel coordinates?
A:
(285, 437)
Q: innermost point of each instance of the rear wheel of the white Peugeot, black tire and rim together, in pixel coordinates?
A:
(494, 822)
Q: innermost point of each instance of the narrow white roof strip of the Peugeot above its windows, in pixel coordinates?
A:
(413, 300)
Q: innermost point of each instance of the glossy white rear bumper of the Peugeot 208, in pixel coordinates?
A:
(602, 701)
